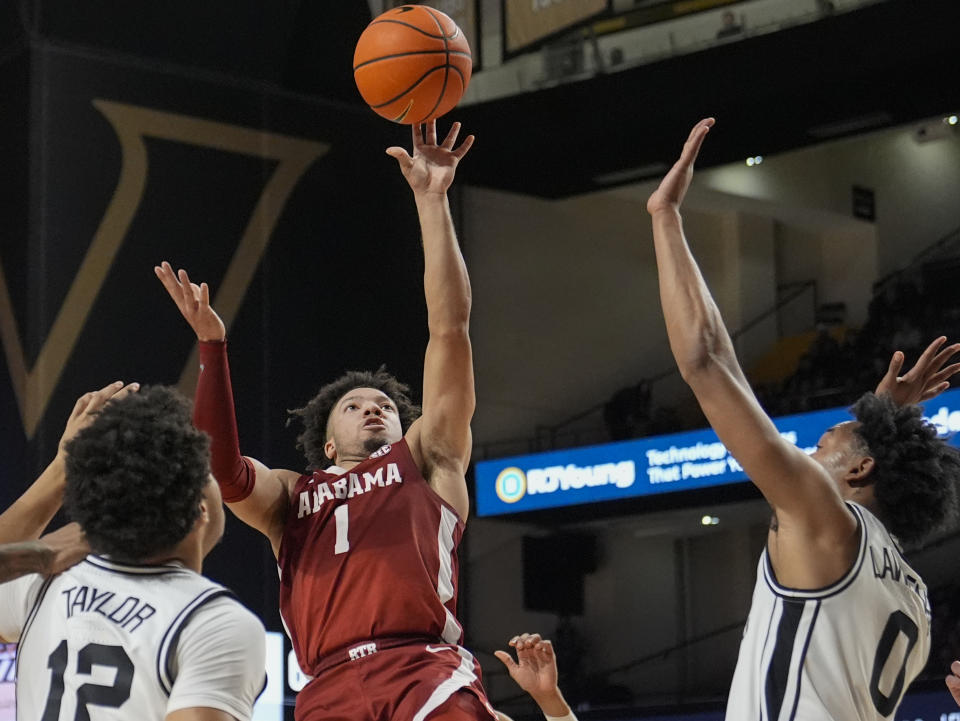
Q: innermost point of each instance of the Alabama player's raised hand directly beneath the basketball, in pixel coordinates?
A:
(432, 167)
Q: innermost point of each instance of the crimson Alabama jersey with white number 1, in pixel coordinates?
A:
(368, 554)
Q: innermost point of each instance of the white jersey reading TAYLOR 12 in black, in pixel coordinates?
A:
(105, 641)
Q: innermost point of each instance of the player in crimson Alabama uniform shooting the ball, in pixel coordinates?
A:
(366, 544)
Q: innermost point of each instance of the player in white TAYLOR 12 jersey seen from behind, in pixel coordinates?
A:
(133, 630)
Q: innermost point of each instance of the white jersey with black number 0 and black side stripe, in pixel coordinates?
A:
(844, 653)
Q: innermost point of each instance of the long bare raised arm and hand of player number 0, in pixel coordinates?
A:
(817, 535)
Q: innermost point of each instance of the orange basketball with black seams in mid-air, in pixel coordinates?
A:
(412, 64)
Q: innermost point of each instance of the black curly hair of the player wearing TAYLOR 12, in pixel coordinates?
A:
(136, 474)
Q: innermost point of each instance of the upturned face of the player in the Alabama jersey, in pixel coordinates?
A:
(364, 420)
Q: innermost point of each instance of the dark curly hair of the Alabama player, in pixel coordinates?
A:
(316, 414)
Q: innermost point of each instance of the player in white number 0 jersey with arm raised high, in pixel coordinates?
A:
(839, 623)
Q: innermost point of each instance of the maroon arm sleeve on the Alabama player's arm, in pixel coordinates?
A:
(213, 413)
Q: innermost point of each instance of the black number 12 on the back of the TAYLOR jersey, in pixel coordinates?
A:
(93, 654)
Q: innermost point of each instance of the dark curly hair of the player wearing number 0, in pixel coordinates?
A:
(915, 474)
